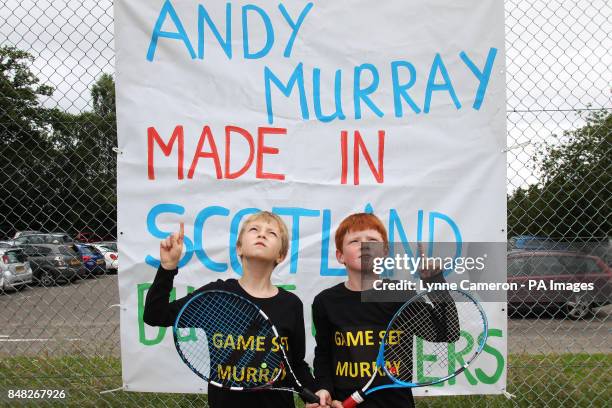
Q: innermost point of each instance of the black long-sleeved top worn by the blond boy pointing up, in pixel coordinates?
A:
(285, 311)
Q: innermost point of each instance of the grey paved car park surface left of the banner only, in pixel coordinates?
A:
(62, 319)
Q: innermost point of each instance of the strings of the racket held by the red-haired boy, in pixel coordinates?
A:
(444, 338)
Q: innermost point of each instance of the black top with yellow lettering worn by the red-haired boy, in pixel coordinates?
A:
(348, 335)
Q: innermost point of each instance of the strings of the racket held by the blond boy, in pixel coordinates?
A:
(215, 316)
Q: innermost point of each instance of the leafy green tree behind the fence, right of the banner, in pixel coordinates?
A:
(572, 199)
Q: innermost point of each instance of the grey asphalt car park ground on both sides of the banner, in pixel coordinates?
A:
(79, 318)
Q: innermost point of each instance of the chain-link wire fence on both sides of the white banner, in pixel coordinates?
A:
(58, 174)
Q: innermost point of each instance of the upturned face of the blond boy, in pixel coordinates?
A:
(262, 240)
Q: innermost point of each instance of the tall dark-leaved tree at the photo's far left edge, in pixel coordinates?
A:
(25, 151)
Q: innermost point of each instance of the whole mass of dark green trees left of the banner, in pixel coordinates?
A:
(59, 167)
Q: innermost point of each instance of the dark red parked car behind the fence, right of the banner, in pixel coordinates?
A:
(566, 269)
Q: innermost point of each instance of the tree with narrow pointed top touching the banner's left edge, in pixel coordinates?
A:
(85, 142)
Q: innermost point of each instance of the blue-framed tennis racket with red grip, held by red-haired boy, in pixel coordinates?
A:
(446, 322)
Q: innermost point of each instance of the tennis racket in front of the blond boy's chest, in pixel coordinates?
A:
(231, 343)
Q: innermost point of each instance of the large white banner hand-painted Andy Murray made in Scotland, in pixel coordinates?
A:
(314, 111)
